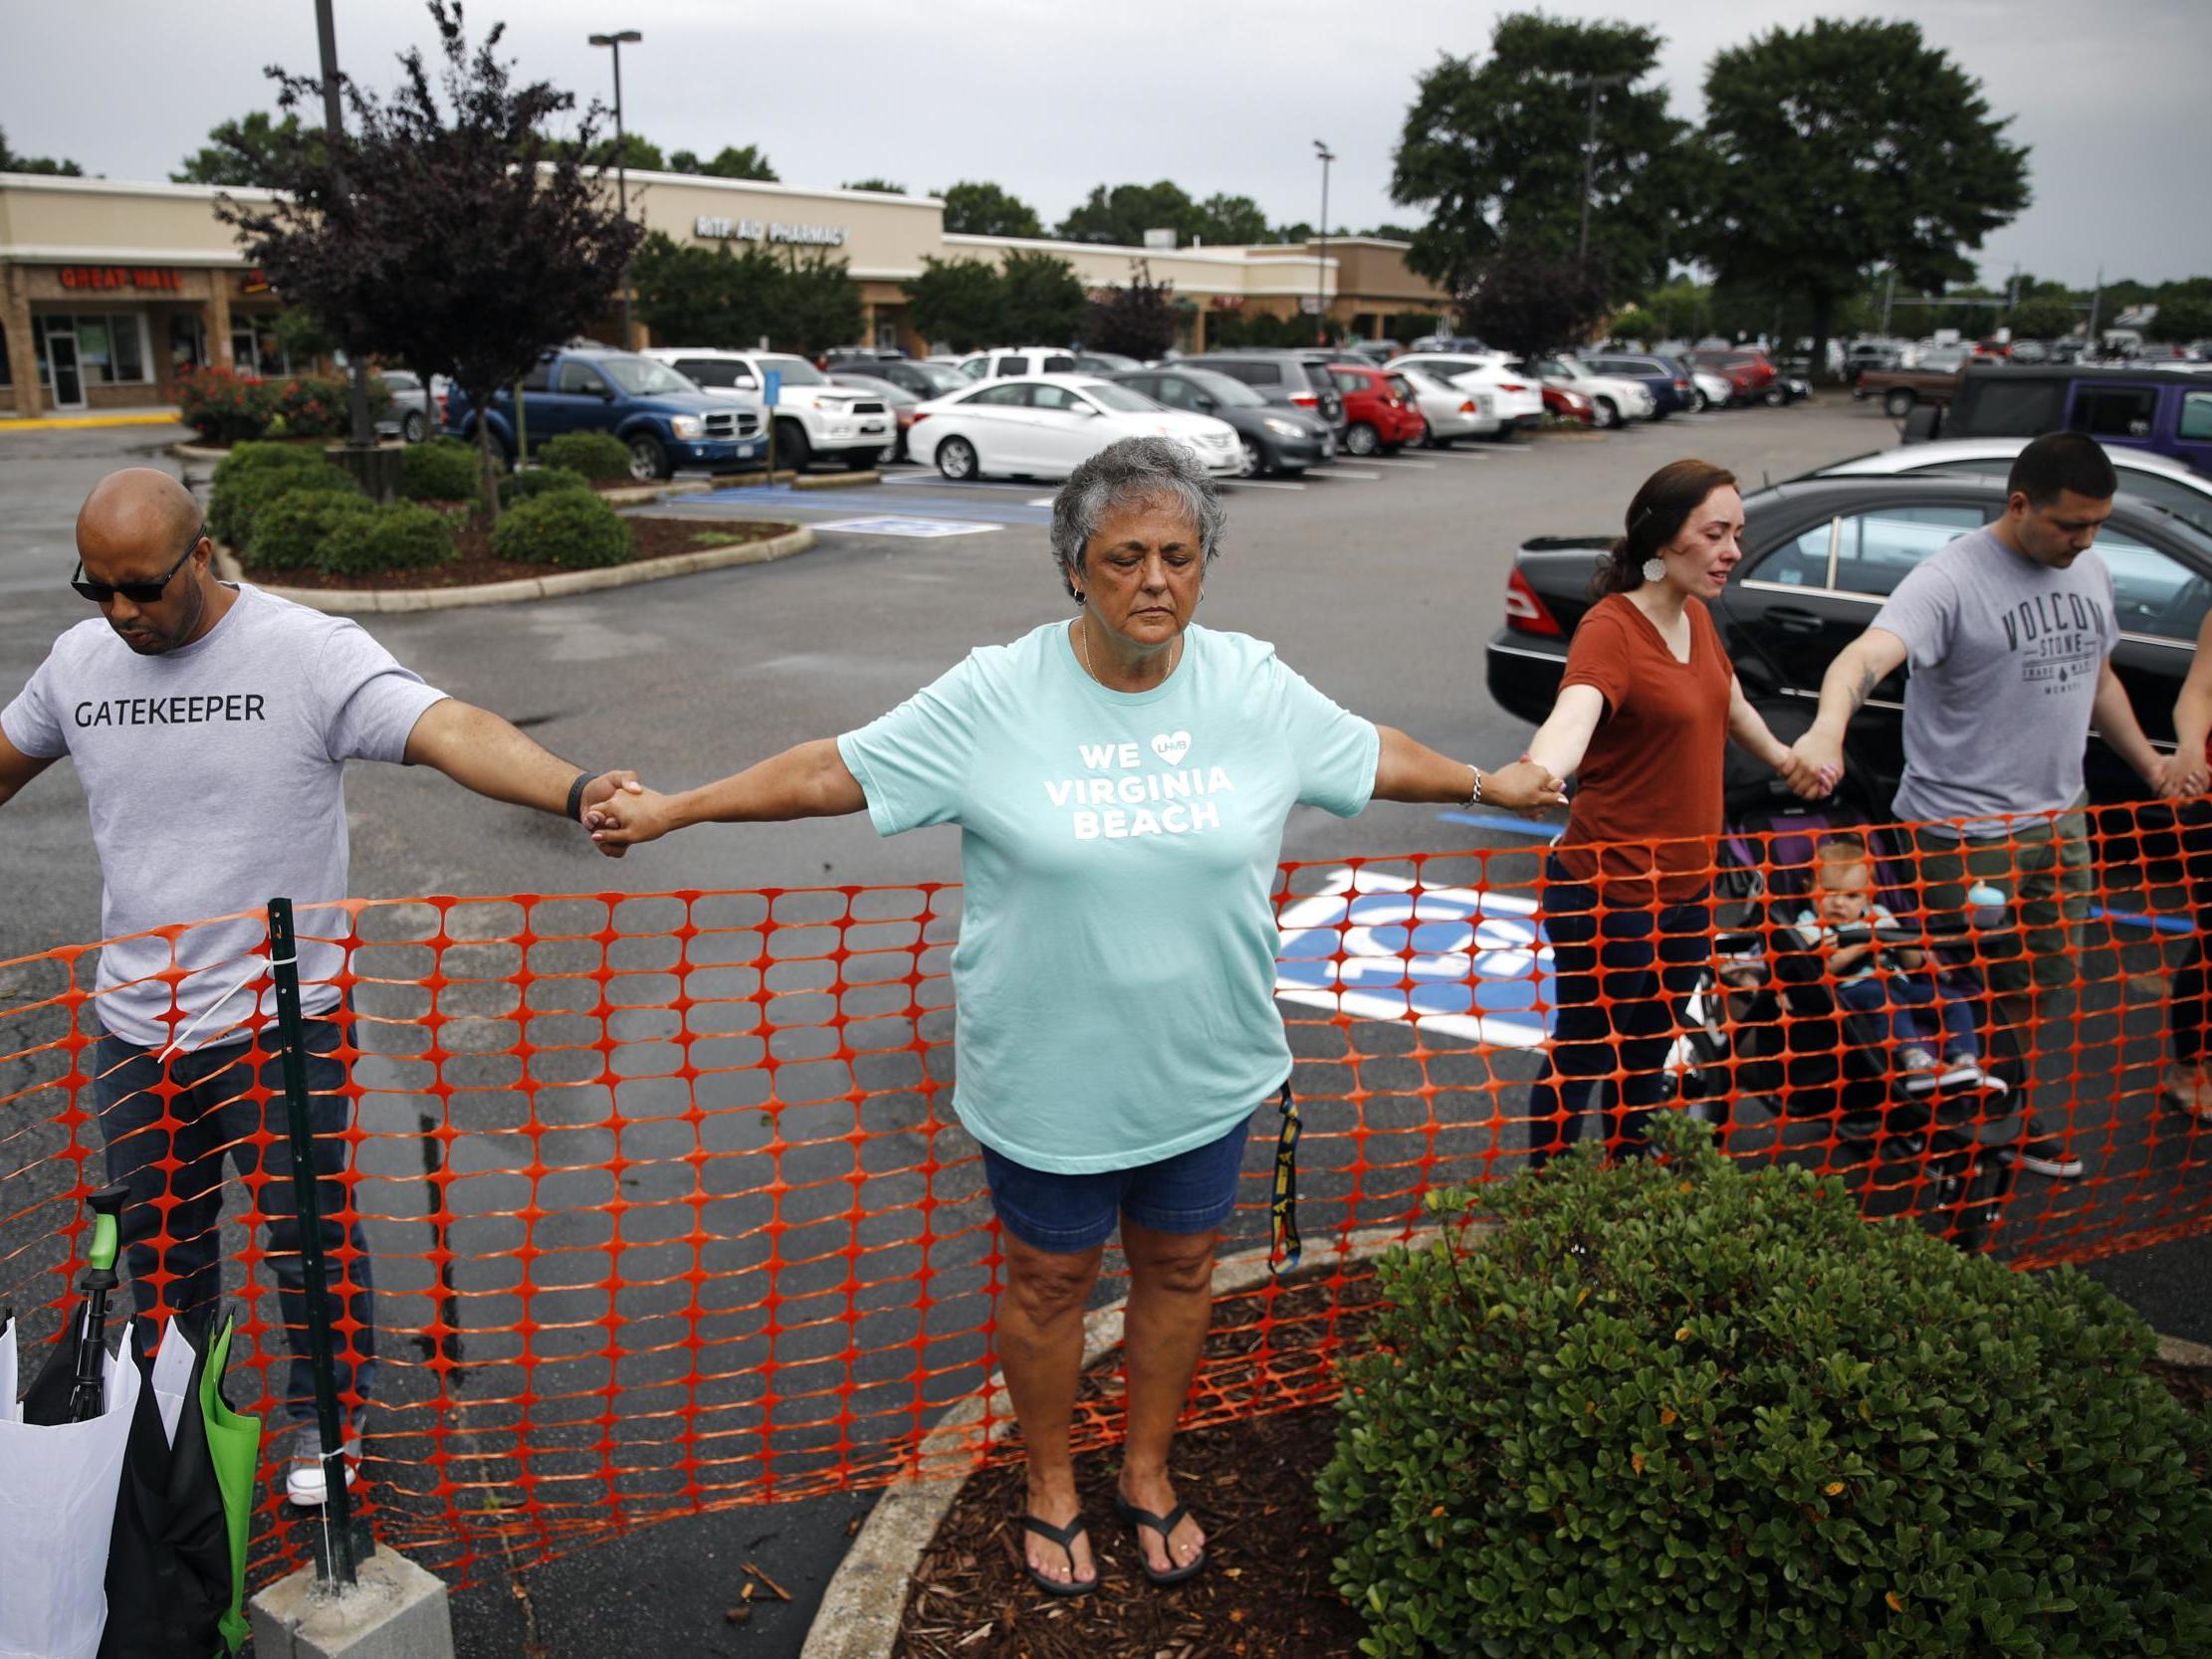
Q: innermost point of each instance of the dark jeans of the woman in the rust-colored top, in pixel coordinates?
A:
(1620, 983)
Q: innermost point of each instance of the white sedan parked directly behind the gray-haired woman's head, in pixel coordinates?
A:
(1045, 426)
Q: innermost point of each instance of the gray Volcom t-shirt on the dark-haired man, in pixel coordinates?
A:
(2005, 662)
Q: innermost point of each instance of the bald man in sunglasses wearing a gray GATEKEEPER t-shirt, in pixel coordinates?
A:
(211, 727)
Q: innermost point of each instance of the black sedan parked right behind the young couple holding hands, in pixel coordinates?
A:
(1819, 559)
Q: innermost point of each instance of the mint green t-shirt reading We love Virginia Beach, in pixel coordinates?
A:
(1116, 968)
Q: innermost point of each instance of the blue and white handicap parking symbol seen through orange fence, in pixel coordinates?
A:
(1463, 963)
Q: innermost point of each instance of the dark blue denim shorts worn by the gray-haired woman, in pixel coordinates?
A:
(1072, 1213)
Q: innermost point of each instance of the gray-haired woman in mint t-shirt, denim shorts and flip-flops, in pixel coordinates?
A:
(1120, 784)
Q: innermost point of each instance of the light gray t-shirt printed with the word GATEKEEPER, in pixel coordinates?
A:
(216, 784)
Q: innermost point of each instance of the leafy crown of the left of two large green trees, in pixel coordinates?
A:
(1496, 154)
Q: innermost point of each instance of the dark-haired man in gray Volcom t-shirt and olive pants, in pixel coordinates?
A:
(2010, 634)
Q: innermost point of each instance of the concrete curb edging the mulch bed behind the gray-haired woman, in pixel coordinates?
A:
(859, 1614)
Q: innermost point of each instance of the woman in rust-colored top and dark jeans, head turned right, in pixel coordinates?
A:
(1645, 716)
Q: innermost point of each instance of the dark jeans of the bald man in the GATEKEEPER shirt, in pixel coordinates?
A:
(171, 1238)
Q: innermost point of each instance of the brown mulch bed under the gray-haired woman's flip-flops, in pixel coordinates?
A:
(1264, 1596)
